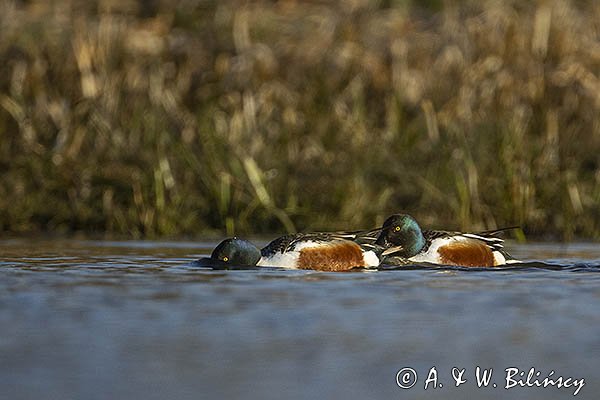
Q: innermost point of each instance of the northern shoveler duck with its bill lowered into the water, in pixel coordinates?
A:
(340, 251)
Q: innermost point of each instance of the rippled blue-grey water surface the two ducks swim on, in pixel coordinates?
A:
(139, 320)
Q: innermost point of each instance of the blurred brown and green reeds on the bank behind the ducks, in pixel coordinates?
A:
(198, 117)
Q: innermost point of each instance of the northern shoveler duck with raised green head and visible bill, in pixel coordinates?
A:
(404, 242)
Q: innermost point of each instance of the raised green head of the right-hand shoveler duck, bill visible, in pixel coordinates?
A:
(401, 235)
